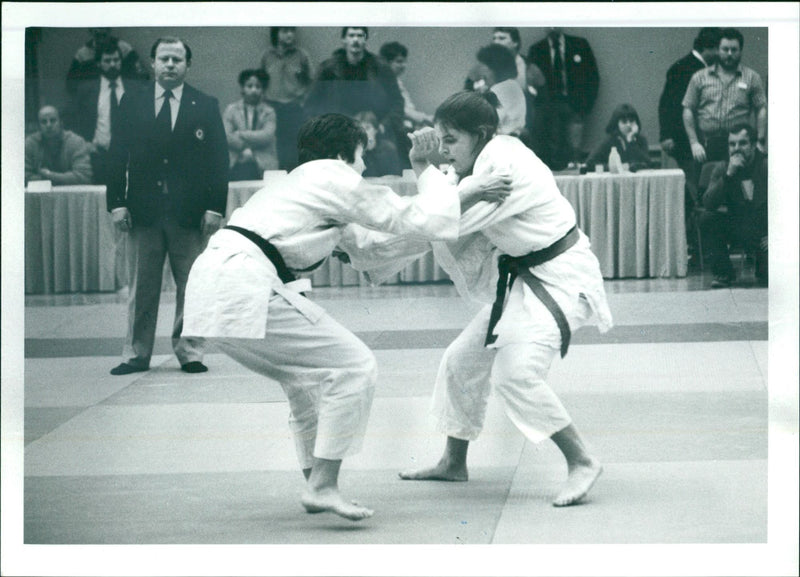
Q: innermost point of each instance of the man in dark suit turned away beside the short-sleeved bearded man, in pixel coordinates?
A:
(670, 110)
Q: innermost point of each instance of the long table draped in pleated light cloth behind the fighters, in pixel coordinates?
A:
(635, 222)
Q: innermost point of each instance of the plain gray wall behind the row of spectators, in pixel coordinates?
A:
(632, 61)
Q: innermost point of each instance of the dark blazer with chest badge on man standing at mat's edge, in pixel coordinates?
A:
(194, 162)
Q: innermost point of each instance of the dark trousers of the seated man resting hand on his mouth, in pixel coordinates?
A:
(719, 230)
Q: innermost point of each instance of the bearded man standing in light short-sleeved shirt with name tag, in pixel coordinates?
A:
(722, 96)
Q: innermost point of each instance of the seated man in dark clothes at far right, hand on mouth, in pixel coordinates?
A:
(736, 205)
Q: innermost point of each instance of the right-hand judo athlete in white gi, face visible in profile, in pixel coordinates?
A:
(533, 239)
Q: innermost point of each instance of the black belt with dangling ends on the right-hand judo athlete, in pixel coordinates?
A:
(511, 267)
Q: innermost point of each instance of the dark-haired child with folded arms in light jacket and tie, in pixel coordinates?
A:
(250, 128)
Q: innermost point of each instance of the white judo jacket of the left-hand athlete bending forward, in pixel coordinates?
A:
(302, 215)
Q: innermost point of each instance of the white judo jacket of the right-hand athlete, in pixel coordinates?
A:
(533, 217)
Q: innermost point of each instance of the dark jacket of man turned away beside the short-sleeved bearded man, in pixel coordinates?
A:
(670, 109)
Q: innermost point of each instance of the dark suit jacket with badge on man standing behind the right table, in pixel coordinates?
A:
(583, 79)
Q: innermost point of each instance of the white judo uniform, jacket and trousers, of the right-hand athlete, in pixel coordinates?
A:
(516, 366)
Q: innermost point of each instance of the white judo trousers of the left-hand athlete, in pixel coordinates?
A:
(327, 373)
